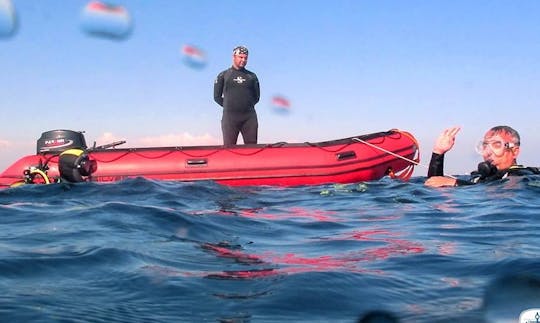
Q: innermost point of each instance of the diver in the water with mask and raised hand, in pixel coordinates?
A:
(499, 149)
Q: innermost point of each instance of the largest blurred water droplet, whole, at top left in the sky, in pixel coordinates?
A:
(106, 20)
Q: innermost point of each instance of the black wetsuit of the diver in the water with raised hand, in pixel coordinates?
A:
(484, 174)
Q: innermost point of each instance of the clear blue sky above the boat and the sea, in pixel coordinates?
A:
(348, 68)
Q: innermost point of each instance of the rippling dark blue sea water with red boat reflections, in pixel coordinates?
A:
(147, 251)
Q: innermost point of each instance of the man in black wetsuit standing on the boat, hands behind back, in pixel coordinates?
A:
(237, 90)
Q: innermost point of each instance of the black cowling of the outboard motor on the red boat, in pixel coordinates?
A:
(57, 141)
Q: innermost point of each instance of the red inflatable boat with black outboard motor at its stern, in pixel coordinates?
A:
(62, 155)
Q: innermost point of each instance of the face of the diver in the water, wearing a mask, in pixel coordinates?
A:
(499, 149)
